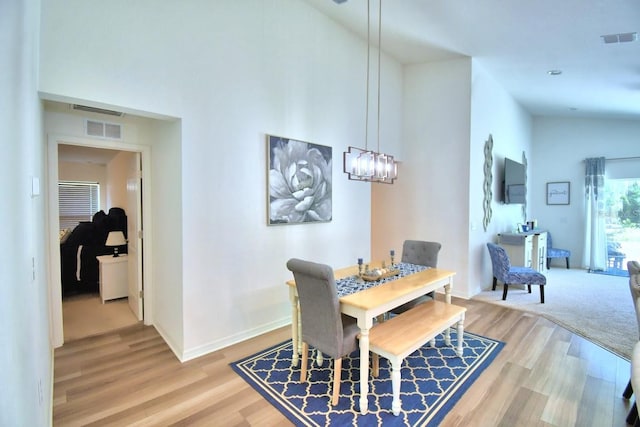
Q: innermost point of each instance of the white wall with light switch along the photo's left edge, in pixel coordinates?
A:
(26, 355)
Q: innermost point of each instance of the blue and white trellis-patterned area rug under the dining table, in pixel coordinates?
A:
(433, 380)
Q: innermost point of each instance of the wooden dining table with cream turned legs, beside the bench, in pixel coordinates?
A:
(367, 304)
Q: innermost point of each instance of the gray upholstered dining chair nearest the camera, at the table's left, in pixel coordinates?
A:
(324, 327)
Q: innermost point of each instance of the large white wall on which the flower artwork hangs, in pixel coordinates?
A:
(233, 72)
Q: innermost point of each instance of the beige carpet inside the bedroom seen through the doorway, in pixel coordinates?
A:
(85, 315)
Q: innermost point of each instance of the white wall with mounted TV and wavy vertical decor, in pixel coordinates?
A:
(495, 113)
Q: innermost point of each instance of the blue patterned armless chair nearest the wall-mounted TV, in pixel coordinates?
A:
(508, 275)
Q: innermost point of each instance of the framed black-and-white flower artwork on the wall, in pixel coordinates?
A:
(299, 181)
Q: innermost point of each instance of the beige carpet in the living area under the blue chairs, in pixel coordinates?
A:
(595, 306)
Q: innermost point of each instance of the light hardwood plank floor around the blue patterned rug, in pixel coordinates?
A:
(544, 376)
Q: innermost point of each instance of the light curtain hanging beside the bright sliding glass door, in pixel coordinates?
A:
(595, 248)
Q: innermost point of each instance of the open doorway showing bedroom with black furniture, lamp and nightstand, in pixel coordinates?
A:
(109, 206)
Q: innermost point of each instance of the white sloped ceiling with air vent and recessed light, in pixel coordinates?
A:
(518, 41)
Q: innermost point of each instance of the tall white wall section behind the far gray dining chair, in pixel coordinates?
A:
(429, 201)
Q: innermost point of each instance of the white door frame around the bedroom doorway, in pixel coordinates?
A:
(55, 282)
